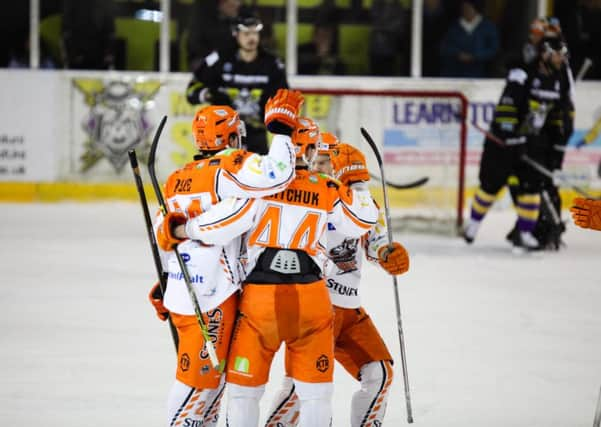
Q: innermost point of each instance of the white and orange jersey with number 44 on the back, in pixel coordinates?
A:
(295, 218)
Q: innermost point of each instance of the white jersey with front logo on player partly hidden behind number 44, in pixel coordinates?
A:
(343, 275)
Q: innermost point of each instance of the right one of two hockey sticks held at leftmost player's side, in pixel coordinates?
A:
(182, 264)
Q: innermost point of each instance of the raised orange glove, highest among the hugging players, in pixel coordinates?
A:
(281, 111)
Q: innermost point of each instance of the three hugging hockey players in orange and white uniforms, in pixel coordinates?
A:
(273, 245)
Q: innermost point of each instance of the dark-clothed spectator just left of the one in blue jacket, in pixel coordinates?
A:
(388, 41)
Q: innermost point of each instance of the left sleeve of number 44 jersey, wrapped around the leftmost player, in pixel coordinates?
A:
(224, 222)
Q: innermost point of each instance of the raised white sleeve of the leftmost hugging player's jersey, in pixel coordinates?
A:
(257, 175)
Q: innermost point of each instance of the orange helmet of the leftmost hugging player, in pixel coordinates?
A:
(214, 125)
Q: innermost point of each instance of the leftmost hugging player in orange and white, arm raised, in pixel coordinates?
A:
(220, 171)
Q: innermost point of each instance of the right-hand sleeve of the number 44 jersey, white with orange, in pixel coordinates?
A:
(354, 211)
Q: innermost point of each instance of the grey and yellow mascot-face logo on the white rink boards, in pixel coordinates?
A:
(116, 121)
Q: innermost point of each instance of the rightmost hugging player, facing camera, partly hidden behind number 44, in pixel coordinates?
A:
(359, 348)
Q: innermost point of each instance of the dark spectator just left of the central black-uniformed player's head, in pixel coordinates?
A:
(211, 29)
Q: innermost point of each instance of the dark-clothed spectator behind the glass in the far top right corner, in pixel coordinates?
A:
(582, 29)
